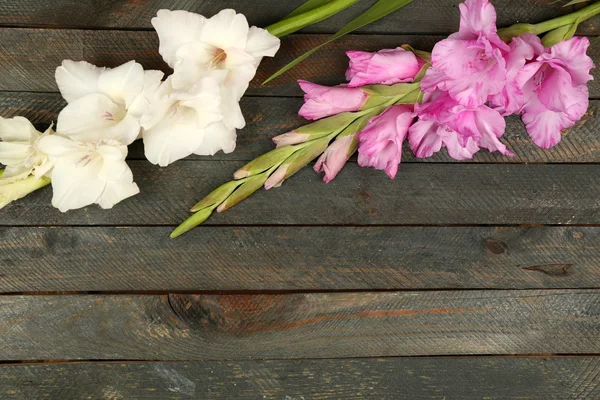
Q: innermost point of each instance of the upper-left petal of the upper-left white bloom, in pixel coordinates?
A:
(77, 79)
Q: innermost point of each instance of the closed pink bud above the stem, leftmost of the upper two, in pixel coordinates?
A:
(323, 101)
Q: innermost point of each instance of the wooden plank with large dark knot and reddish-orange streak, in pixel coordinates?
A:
(317, 325)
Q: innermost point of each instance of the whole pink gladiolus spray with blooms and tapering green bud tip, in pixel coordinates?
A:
(454, 97)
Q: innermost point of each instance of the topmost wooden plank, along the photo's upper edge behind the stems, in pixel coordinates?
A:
(423, 16)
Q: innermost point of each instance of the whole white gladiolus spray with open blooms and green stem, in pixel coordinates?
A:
(194, 111)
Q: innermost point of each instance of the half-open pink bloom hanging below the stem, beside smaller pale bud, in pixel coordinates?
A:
(380, 142)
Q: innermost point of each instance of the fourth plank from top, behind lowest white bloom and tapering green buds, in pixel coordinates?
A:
(422, 194)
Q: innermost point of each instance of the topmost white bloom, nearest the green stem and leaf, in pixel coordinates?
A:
(223, 46)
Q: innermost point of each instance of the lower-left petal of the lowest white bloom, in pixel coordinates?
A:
(75, 182)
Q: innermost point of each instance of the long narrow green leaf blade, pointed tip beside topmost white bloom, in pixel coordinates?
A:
(377, 11)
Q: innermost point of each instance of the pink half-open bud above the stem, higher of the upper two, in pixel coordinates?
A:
(385, 67)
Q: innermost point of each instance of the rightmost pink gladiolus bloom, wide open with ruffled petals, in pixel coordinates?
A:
(555, 89)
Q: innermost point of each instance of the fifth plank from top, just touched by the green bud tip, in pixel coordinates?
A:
(298, 258)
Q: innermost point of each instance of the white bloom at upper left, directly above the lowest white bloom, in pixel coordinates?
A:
(104, 103)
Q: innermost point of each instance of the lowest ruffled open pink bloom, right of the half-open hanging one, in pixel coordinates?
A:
(444, 122)
